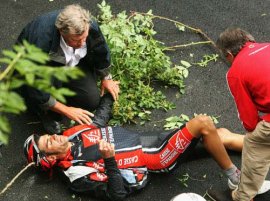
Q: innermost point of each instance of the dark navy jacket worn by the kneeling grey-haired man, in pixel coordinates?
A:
(43, 33)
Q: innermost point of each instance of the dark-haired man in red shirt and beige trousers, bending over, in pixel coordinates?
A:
(249, 82)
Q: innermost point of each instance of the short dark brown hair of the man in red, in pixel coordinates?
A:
(232, 40)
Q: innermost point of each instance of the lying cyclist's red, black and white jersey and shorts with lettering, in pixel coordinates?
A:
(134, 156)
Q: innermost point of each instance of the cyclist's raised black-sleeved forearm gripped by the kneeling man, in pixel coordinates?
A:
(104, 111)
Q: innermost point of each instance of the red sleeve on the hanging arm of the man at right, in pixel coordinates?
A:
(248, 112)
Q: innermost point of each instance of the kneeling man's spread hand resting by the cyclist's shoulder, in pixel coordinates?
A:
(79, 115)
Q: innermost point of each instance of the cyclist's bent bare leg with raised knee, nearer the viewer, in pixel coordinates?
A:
(203, 125)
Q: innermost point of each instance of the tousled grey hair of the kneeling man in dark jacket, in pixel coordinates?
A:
(73, 19)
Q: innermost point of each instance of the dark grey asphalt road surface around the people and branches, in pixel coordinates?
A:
(206, 91)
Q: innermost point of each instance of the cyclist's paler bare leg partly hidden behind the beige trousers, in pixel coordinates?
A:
(231, 141)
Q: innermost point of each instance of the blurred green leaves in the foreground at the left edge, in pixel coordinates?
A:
(25, 66)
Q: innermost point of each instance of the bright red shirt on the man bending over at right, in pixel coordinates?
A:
(249, 82)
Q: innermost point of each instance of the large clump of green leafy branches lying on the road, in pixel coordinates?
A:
(137, 60)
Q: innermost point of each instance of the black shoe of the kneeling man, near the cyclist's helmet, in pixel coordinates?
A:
(50, 125)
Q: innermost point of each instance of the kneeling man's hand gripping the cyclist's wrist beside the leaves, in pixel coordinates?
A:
(112, 87)
